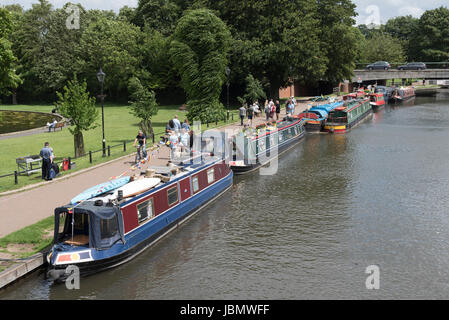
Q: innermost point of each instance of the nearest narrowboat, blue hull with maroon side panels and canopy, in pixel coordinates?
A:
(110, 229)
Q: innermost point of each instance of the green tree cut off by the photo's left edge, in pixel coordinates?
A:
(8, 77)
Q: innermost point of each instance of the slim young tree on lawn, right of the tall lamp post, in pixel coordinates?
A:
(143, 105)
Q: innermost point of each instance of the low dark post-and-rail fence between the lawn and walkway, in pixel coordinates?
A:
(106, 152)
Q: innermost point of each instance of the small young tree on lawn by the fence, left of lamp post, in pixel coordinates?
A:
(76, 104)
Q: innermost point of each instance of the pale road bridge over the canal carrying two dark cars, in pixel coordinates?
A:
(375, 75)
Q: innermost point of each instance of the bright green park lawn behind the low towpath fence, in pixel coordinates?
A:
(120, 125)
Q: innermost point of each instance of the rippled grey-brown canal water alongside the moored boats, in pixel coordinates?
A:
(338, 204)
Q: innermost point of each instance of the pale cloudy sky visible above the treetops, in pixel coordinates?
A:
(370, 11)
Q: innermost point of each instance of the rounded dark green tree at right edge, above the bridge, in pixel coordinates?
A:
(430, 42)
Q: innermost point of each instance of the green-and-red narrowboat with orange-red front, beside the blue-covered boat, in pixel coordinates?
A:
(343, 118)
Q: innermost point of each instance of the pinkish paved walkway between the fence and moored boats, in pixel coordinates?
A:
(27, 207)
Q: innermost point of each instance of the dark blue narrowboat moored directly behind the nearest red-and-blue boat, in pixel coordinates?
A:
(255, 148)
